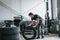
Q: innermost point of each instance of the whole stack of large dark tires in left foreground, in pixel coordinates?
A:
(10, 33)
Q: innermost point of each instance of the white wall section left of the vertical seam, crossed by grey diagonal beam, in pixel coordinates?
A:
(5, 13)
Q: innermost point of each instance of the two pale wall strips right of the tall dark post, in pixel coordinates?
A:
(54, 8)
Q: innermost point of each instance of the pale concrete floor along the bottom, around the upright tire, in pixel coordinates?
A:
(46, 37)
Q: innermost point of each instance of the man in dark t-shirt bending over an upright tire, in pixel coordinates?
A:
(38, 22)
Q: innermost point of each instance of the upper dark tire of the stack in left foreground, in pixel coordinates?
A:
(10, 30)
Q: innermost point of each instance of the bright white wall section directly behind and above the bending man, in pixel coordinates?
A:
(35, 6)
